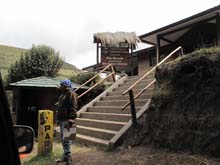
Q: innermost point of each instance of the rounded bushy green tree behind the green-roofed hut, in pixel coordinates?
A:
(38, 61)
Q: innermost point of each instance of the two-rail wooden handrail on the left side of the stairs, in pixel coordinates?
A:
(111, 74)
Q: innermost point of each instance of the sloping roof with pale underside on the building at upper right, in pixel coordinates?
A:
(175, 30)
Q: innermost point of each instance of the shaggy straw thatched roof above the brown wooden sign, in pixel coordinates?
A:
(108, 38)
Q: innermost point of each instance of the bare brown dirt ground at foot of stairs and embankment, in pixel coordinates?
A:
(139, 156)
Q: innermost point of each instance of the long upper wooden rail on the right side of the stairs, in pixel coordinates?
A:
(133, 85)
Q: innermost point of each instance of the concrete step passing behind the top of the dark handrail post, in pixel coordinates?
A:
(126, 97)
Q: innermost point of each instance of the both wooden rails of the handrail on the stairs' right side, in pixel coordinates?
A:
(152, 82)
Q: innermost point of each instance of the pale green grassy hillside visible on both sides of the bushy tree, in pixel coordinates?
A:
(9, 55)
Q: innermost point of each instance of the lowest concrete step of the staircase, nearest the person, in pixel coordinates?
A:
(91, 140)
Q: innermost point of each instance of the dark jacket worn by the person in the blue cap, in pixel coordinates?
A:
(67, 105)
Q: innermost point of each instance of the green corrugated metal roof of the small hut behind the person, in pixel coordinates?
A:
(41, 82)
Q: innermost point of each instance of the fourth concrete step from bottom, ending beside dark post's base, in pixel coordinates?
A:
(106, 116)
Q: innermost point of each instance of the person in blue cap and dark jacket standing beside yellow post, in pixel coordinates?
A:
(66, 114)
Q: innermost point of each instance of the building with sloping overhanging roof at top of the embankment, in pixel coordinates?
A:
(192, 33)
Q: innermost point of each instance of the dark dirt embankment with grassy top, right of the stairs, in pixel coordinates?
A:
(184, 114)
